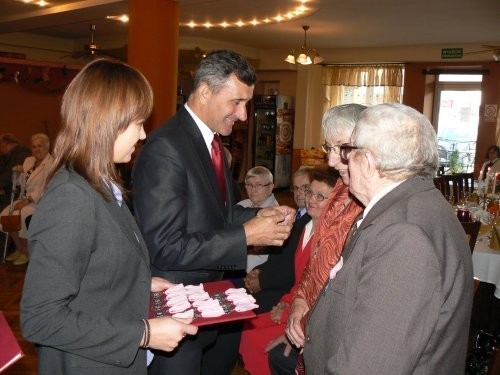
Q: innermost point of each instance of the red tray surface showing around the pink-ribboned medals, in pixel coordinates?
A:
(211, 288)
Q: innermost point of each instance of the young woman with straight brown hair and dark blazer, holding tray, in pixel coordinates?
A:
(85, 300)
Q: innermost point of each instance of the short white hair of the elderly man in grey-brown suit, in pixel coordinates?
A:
(401, 139)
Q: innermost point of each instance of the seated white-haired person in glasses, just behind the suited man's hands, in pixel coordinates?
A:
(259, 186)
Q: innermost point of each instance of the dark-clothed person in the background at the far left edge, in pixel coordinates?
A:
(13, 154)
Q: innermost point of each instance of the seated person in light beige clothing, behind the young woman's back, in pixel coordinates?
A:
(32, 178)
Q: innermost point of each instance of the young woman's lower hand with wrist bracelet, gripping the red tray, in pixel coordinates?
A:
(166, 332)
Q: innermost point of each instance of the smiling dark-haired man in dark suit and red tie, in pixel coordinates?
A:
(185, 209)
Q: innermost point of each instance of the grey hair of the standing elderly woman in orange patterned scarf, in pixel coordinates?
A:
(340, 120)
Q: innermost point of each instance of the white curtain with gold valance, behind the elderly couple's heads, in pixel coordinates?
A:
(363, 84)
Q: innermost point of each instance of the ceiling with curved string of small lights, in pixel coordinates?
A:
(333, 23)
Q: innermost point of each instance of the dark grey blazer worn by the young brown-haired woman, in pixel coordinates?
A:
(87, 284)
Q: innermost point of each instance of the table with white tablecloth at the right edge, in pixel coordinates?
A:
(486, 263)
